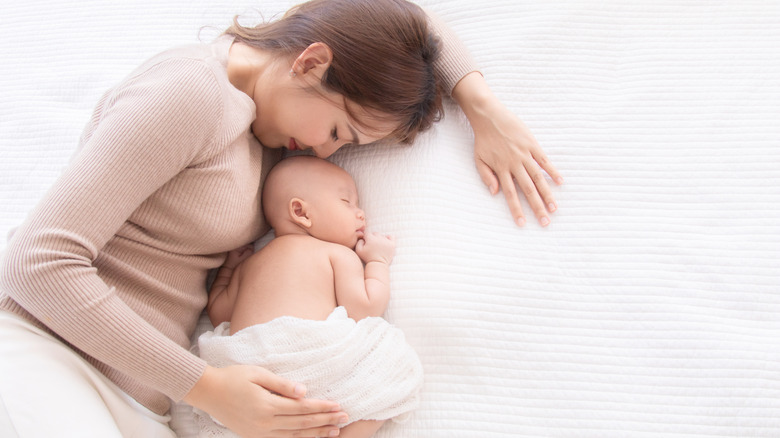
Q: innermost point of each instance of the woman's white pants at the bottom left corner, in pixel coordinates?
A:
(48, 390)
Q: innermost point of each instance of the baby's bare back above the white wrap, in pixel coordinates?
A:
(291, 276)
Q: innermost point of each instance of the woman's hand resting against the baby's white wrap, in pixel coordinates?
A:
(253, 402)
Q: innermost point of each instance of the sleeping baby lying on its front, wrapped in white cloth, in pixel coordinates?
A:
(308, 305)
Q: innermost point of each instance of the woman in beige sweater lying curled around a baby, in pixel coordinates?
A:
(104, 282)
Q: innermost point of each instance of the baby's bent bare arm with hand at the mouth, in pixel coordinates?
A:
(365, 291)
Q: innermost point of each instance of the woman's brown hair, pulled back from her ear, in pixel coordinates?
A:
(383, 55)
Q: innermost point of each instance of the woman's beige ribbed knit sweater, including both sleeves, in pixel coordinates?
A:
(165, 181)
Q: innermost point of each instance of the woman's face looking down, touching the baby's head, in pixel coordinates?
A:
(297, 118)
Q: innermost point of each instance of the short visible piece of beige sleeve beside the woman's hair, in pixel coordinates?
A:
(455, 61)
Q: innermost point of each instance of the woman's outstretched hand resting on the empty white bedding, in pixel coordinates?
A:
(505, 151)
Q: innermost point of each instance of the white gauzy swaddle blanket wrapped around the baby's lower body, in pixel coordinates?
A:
(367, 366)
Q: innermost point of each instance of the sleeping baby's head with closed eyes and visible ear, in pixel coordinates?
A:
(309, 195)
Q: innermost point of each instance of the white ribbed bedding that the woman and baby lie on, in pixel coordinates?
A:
(650, 306)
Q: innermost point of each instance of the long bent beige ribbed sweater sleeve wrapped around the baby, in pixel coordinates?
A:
(149, 131)
